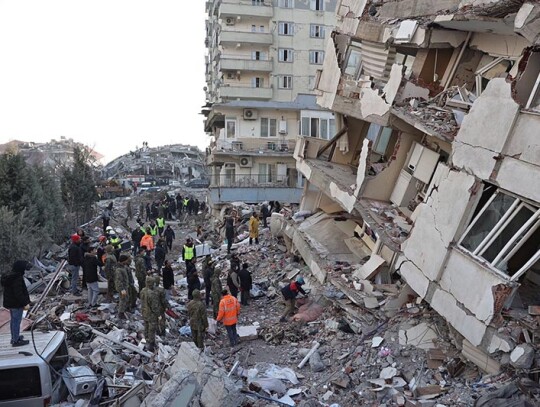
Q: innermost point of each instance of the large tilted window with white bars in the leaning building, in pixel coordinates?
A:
(505, 232)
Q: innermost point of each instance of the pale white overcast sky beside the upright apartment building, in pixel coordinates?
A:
(109, 73)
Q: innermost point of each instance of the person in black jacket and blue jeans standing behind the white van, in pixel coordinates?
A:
(16, 299)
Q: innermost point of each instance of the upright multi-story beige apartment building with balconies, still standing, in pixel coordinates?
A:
(260, 72)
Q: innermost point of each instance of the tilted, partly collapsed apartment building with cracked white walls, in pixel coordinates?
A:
(435, 165)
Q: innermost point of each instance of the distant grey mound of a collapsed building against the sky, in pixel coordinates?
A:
(169, 162)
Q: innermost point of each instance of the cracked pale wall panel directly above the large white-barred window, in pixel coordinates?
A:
(485, 130)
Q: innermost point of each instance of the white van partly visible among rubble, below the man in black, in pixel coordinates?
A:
(26, 380)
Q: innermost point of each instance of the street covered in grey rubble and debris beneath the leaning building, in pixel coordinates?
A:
(352, 342)
